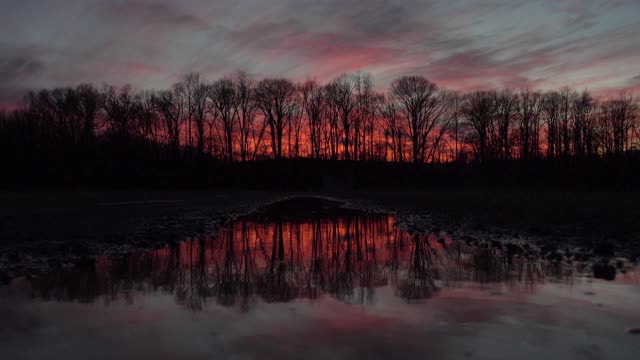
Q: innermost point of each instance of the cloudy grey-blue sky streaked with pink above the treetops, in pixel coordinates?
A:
(458, 44)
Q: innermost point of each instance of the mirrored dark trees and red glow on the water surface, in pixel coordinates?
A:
(346, 257)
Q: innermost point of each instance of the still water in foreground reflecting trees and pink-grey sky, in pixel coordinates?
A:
(331, 285)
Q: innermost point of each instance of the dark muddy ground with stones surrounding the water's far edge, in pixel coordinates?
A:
(44, 230)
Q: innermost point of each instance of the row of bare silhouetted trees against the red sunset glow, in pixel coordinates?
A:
(239, 118)
